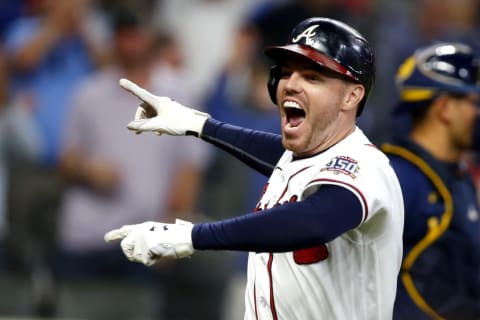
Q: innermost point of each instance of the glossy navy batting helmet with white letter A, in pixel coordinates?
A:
(331, 44)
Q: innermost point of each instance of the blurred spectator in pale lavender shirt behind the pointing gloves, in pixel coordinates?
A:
(114, 180)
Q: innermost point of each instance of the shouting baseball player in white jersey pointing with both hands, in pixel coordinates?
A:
(325, 239)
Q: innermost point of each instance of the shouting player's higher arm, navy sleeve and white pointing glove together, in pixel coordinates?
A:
(162, 115)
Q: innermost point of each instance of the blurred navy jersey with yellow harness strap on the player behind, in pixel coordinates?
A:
(441, 267)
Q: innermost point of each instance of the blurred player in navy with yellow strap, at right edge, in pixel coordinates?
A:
(439, 92)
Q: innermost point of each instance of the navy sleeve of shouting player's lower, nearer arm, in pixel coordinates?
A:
(323, 216)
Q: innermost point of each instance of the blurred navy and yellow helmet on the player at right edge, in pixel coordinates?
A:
(436, 69)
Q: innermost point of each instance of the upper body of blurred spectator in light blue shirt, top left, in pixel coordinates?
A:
(51, 49)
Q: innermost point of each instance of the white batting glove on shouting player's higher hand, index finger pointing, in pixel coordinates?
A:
(163, 115)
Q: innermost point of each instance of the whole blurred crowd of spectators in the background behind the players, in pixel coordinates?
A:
(70, 170)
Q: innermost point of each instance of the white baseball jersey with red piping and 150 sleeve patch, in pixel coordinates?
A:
(355, 275)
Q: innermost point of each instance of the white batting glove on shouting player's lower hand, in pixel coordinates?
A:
(149, 241)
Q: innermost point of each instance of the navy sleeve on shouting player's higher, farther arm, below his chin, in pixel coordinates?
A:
(259, 150)
